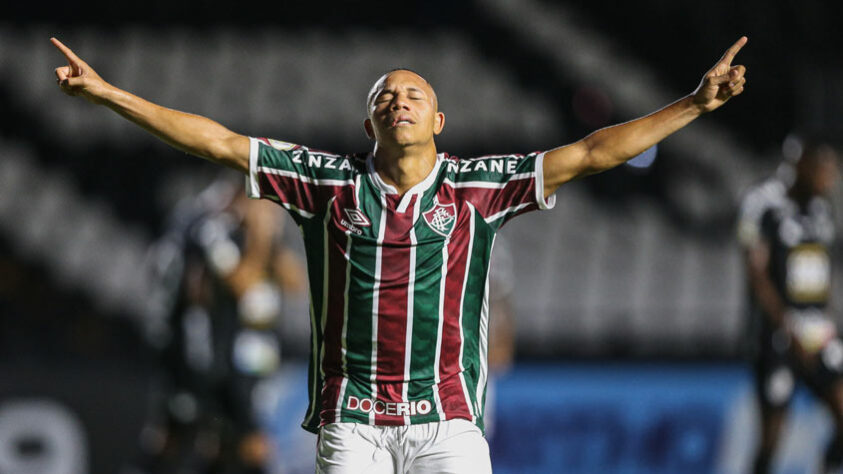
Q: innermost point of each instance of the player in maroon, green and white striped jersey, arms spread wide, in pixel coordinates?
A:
(398, 243)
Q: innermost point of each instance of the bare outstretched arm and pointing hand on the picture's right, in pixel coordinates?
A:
(611, 146)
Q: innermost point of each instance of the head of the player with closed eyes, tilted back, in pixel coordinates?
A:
(403, 110)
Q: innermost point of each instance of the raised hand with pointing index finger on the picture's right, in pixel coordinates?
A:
(721, 82)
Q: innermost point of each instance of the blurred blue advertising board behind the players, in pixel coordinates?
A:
(579, 418)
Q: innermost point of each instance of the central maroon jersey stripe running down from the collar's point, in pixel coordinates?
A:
(392, 307)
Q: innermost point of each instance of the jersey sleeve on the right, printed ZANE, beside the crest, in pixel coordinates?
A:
(503, 186)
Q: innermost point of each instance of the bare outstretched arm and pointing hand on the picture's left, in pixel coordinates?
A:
(193, 134)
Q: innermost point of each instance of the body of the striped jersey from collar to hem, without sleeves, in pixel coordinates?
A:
(405, 289)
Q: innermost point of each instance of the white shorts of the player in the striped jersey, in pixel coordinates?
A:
(453, 446)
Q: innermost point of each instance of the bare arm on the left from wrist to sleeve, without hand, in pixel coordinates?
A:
(190, 133)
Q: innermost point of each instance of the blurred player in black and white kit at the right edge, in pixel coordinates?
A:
(787, 231)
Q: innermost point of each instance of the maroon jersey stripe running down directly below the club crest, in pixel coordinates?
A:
(450, 387)
